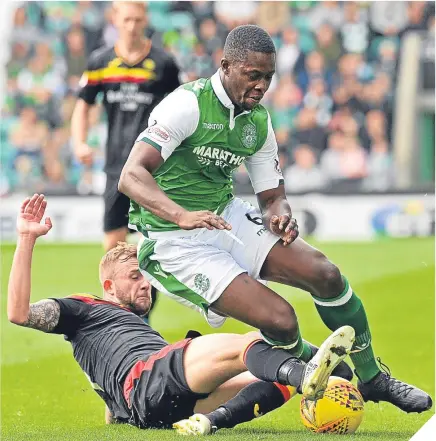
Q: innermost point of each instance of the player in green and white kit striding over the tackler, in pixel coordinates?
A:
(212, 251)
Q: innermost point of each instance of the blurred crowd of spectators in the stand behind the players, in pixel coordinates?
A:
(331, 101)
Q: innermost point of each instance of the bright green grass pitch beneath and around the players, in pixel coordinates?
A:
(45, 396)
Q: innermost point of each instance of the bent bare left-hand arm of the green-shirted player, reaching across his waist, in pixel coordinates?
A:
(137, 183)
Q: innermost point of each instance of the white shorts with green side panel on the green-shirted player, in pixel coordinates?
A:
(195, 267)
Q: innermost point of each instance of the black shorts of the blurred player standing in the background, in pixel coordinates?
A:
(116, 206)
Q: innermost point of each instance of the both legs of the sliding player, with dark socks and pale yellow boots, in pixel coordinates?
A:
(214, 364)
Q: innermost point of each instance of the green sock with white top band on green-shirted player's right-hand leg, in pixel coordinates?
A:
(347, 309)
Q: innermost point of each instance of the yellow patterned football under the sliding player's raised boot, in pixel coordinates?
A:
(340, 411)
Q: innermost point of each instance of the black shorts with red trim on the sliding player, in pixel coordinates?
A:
(156, 390)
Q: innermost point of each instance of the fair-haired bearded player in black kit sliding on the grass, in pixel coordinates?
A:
(145, 381)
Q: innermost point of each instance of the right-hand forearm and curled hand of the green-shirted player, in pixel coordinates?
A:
(277, 214)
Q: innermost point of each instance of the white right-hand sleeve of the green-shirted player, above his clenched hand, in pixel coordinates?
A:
(264, 167)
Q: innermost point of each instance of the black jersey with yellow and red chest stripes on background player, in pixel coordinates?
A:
(130, 92)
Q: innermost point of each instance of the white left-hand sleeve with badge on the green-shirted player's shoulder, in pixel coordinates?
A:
(174, 119)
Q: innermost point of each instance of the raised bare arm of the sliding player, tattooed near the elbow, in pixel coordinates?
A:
(43, 315)
